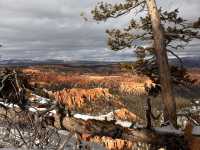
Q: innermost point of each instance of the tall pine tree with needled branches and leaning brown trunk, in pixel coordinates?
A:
(164, 30)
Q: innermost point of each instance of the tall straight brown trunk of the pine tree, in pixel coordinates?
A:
(162, 61)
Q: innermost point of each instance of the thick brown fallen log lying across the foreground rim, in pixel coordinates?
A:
(161, 138)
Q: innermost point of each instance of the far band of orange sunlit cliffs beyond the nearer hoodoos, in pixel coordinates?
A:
(122, 82)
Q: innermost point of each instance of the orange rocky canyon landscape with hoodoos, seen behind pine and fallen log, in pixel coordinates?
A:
(111, 95)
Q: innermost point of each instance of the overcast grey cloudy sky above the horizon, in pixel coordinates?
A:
(54, 29)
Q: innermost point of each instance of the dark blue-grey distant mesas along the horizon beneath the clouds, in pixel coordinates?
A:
(188, 62)
